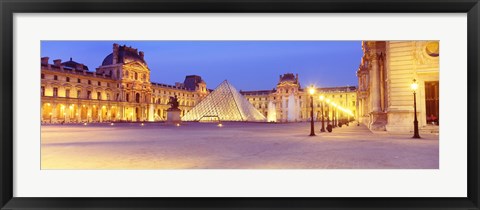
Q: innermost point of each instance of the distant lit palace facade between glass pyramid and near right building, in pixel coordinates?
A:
(292, 102)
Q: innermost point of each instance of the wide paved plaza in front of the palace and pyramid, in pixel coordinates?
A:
(232, 146)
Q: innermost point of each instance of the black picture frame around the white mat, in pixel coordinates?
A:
(10, 7)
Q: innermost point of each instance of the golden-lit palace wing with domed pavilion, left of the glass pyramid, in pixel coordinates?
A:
(119, 90)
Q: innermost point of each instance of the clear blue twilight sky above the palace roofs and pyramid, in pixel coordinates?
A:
(248, 65)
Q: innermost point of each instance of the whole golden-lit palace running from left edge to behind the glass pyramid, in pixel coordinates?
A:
(120, 90)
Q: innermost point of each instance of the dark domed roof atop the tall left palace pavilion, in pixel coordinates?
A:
(124, 55)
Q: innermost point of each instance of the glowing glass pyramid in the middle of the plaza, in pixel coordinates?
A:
(224, 103)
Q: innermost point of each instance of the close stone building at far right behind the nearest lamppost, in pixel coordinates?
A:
(385, 74)
